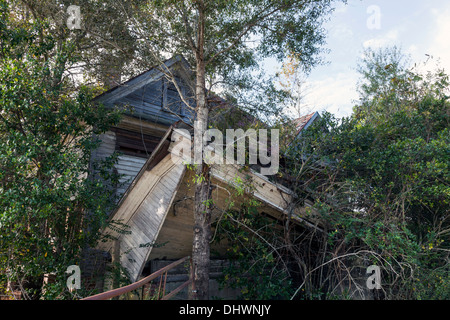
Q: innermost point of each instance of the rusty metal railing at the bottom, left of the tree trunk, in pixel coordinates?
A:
(136, 285)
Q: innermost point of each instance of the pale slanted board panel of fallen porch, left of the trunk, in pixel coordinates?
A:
(143, 211)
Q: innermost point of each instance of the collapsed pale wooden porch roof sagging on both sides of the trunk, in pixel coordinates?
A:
(157, 209)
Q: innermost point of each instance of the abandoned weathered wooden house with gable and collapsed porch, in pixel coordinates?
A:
(156, 193)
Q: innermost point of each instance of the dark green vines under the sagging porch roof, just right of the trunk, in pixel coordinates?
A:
(255, 249)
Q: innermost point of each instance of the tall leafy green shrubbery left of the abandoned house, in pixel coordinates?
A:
(50, 209)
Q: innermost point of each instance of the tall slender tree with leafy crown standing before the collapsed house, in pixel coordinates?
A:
(225, 41)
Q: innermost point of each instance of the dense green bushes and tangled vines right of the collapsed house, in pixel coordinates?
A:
(379, 181)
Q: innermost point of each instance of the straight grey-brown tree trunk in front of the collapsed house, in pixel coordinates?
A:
(202, 212)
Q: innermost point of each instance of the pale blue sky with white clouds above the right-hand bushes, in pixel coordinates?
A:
(418, 27)
